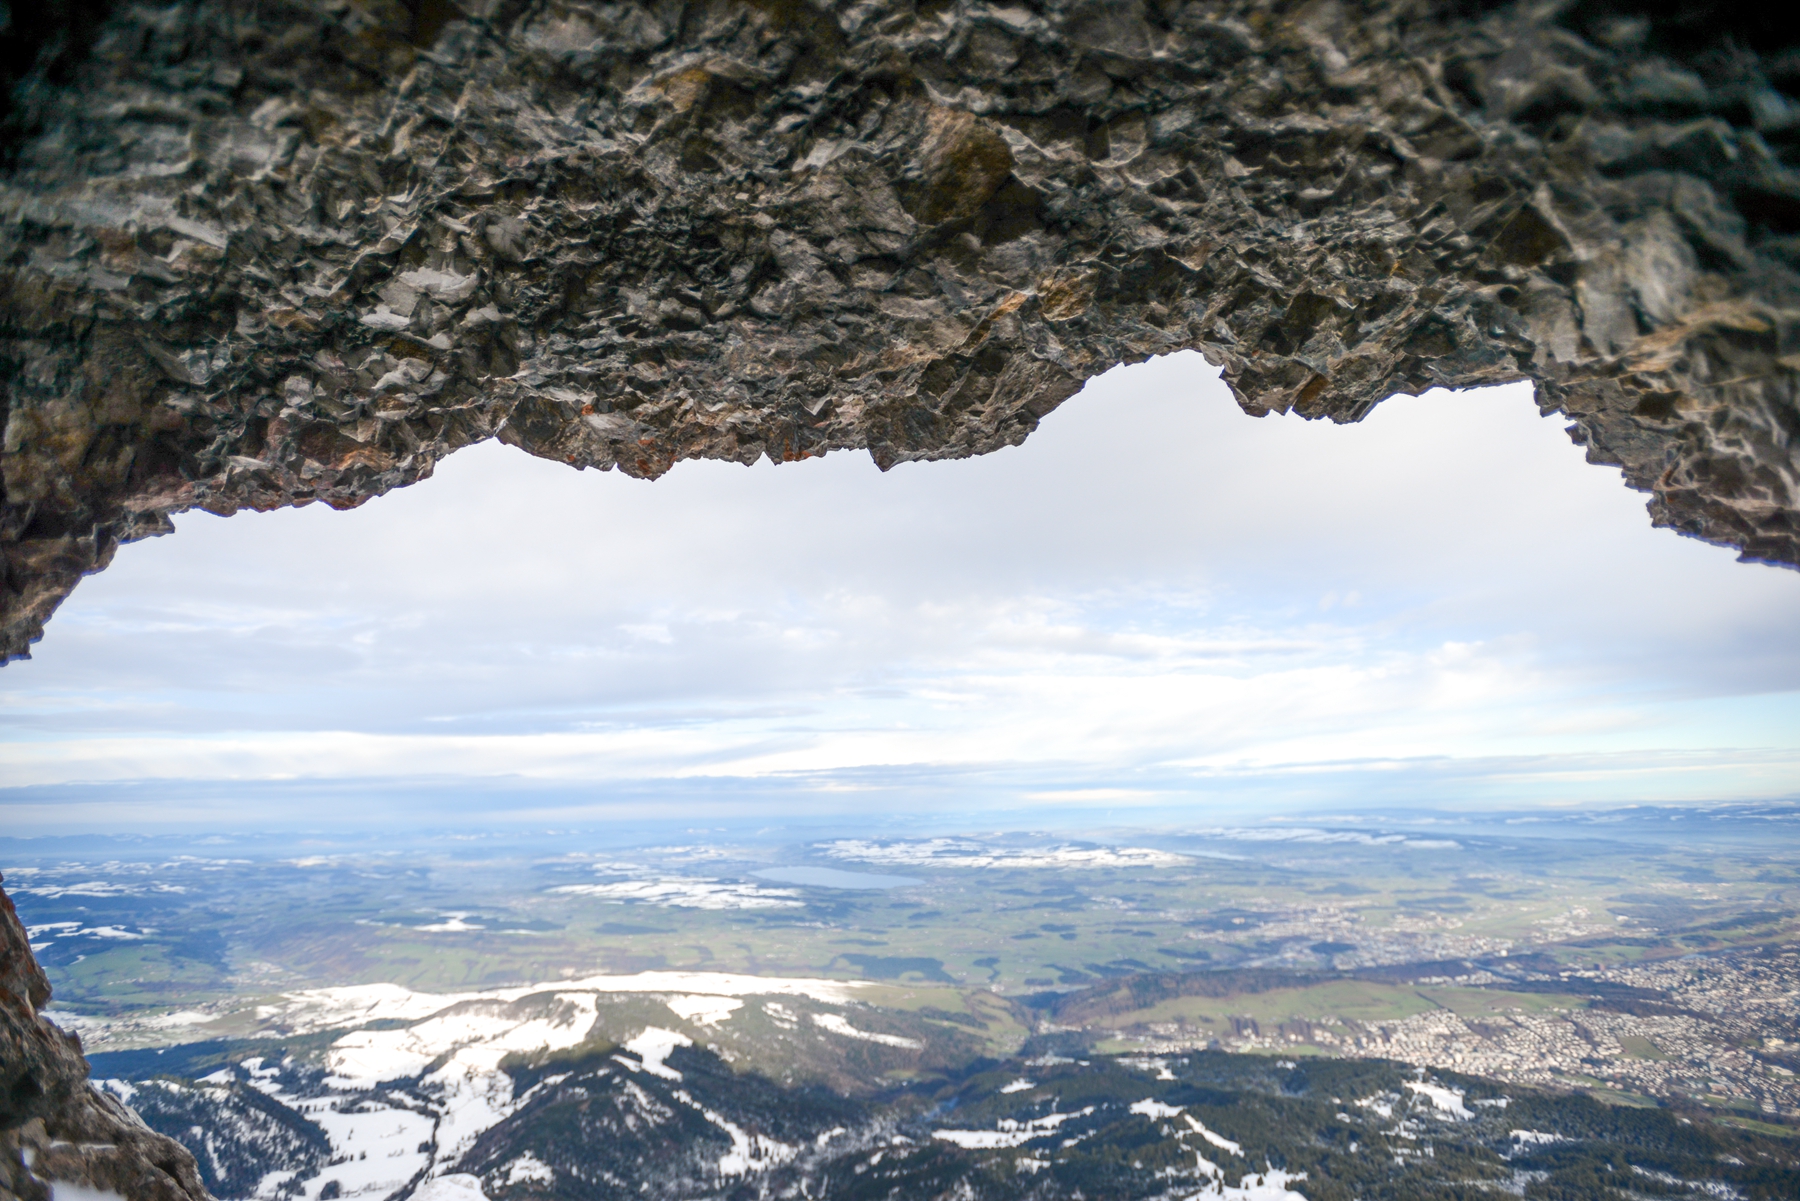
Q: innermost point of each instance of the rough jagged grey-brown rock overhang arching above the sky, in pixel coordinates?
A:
(283, 251)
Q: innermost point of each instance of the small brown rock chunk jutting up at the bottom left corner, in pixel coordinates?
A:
(55, 1128)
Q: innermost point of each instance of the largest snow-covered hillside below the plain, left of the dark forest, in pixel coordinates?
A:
(390, 1088)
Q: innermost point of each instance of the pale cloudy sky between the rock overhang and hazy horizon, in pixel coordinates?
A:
(1155, 608)
